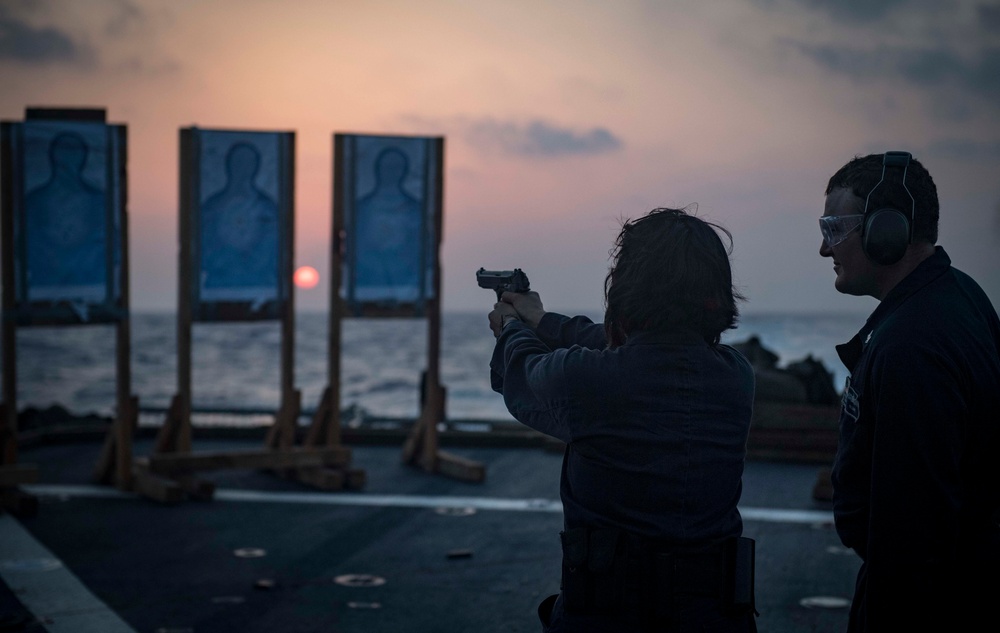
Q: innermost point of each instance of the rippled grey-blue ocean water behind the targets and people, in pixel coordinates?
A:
(236, 366)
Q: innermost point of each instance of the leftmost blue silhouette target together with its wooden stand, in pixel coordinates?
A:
(65, 265)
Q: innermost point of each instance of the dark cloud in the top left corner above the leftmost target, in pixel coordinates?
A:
(24, 43)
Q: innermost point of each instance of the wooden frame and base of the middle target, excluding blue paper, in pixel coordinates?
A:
(170, 472)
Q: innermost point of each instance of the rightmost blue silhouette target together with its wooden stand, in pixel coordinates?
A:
(415, 296)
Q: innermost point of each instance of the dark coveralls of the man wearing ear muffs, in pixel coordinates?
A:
(916, 479)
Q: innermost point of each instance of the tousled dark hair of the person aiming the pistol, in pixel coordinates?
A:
(670, 270)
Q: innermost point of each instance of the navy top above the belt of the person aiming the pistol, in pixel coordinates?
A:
(656, 429)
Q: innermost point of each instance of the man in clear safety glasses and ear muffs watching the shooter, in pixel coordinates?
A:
(916, 478)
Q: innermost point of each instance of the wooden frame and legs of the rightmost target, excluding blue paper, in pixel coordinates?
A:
(420, 449)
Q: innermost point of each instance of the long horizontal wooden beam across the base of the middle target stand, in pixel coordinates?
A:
(294, 457)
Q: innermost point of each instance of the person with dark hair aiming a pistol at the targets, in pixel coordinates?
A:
(654, 412)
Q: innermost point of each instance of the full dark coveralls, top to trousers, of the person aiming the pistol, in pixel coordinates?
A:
(656, 434)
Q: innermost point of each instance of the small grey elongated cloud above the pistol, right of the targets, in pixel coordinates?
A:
(538, 138)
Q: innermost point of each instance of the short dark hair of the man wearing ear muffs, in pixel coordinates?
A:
(862, 173)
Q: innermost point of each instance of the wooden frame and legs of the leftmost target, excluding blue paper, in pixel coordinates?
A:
(114, 465)
